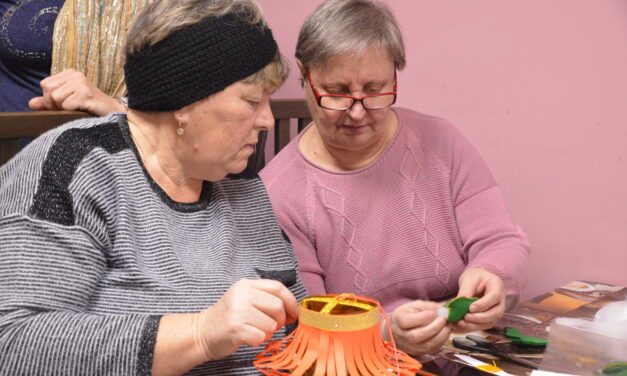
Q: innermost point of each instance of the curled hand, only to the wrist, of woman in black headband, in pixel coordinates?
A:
(248, 313)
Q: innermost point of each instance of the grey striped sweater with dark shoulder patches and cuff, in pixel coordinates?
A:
(93, 252)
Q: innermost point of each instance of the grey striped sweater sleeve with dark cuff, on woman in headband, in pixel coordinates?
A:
(49, 275)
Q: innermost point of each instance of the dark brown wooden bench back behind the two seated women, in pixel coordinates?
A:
(16, 125)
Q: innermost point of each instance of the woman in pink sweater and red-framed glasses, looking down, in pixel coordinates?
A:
(384, 201)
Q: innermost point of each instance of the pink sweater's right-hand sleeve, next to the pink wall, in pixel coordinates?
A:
(491, 239)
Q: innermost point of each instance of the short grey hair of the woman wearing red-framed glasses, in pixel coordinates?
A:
(349, 26)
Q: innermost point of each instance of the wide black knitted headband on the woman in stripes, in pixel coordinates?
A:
(195, 62)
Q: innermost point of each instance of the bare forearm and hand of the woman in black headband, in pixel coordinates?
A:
(248, 313)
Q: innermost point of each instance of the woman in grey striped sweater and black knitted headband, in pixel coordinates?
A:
(133, 244)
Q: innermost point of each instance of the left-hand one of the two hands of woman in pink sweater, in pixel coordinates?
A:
(417, 329)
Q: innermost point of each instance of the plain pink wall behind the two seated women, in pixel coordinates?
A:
(540, 87)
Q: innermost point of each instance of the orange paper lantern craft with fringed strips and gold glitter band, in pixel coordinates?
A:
(336, 335)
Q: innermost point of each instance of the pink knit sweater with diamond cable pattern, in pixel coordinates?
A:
(402, 228)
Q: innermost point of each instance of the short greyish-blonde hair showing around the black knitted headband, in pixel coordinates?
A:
(161, 18)
